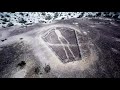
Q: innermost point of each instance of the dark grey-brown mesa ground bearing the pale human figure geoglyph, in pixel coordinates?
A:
(67, 48)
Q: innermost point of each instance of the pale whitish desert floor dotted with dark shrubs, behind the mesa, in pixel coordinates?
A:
(8, 19)
